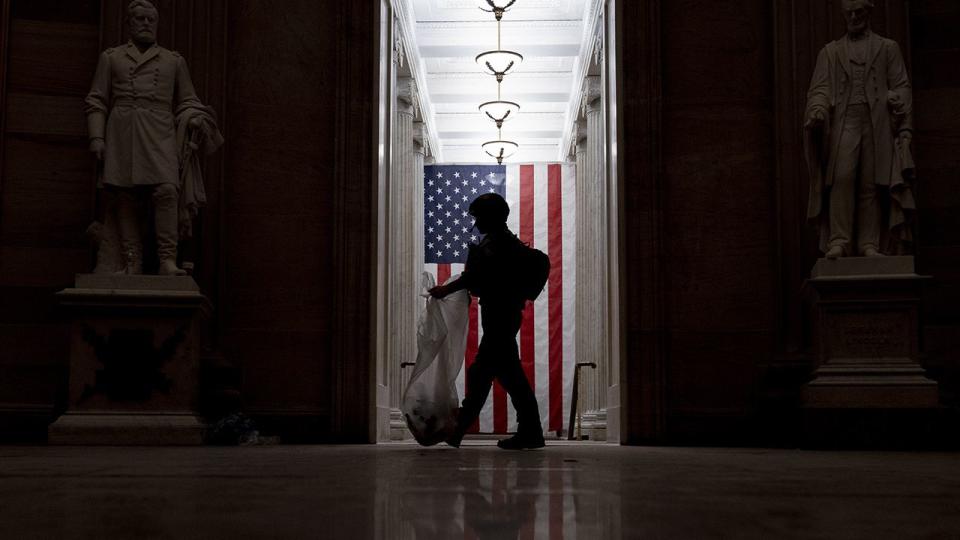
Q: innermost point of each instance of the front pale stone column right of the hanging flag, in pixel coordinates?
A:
(594, 276)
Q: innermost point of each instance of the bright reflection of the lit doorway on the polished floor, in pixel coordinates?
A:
(497, 494)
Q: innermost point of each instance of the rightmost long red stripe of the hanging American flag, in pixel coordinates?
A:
(555, 290)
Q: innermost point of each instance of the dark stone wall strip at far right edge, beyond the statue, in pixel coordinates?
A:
(935, 48)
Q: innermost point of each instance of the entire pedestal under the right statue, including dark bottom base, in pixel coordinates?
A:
(868, 378)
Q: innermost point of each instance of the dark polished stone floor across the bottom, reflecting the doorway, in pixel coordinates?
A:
(565, 491)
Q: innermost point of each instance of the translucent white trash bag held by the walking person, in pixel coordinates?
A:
(430, 400)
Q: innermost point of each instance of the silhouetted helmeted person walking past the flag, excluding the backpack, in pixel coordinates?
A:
(491, 275)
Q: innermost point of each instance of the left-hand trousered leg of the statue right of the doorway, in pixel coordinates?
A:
(842, 196)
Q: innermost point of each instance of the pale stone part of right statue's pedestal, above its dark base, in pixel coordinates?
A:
(866, 332)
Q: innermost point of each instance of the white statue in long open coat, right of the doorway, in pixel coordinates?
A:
(857, 134)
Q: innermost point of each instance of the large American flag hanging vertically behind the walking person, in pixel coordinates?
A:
(541, 202)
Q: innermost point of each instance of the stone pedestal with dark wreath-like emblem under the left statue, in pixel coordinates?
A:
(133, 361)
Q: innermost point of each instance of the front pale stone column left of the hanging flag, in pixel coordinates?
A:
(401, 283)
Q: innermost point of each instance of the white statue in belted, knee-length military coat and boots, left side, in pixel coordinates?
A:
(147, 126)
